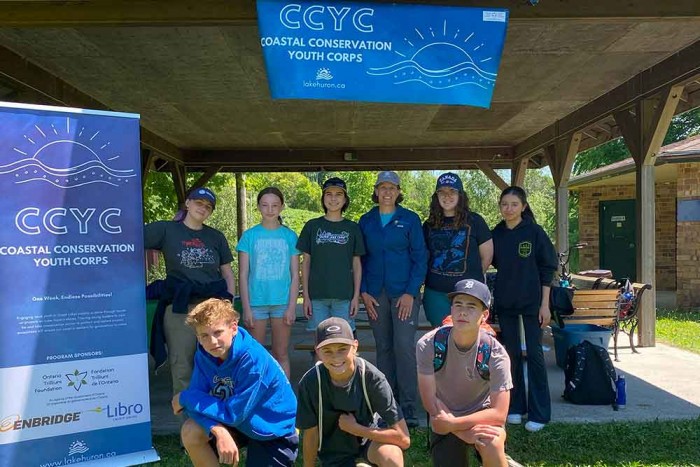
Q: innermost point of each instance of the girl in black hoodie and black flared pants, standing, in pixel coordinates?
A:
(526, 262)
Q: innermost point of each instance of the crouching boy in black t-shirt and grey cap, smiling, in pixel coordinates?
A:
(340, 402)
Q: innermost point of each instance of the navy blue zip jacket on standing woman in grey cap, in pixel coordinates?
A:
(396, 258)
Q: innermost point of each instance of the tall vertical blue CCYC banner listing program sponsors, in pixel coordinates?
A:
(73, 359)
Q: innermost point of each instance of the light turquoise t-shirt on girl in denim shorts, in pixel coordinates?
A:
(269, 254)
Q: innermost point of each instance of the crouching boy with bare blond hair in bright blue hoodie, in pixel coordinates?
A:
(238, 395)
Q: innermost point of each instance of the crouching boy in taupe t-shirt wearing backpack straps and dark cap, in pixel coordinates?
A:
(464, 382)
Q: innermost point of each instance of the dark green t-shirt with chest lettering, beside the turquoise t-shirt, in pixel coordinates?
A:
(332, 246)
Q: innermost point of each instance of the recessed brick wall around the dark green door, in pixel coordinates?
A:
(589, 199)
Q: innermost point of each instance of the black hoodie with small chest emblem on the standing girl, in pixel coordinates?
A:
(526, 261)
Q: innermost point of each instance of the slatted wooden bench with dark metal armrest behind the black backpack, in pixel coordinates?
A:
(597, 301)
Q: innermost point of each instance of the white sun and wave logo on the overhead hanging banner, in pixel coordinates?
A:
(439, 61)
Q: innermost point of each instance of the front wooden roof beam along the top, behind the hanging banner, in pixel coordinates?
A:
(32, 13)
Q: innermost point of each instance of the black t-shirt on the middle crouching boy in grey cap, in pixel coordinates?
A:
(338, 445)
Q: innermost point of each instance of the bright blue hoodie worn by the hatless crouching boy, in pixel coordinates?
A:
(249, 391)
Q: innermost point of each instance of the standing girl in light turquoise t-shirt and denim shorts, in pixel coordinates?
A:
(269, 276)
